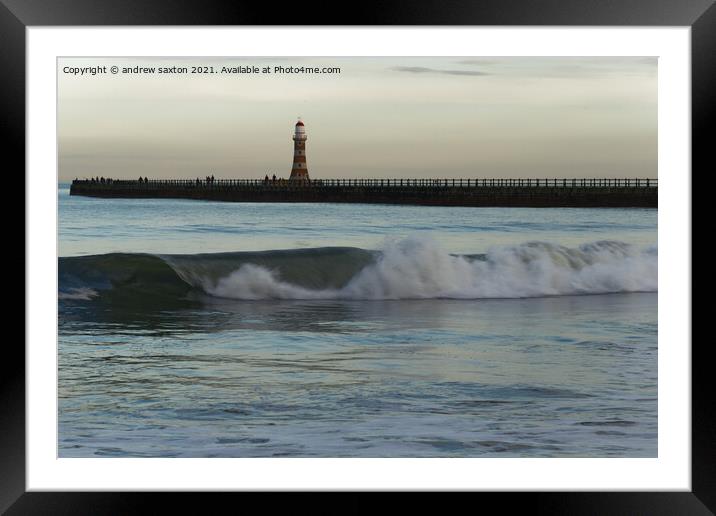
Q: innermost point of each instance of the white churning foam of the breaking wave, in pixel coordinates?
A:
(416, 268)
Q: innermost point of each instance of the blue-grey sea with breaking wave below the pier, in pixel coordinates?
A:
(207, 329)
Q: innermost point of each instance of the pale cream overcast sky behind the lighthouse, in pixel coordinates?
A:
(380, 117)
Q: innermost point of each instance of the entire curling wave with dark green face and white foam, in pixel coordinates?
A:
(411, 268)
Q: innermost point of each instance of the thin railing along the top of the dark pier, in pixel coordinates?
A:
(375, 183)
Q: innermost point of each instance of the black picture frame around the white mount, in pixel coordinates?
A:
(17, 15)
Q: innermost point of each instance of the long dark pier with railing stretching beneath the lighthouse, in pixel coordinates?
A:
(548, 193)
